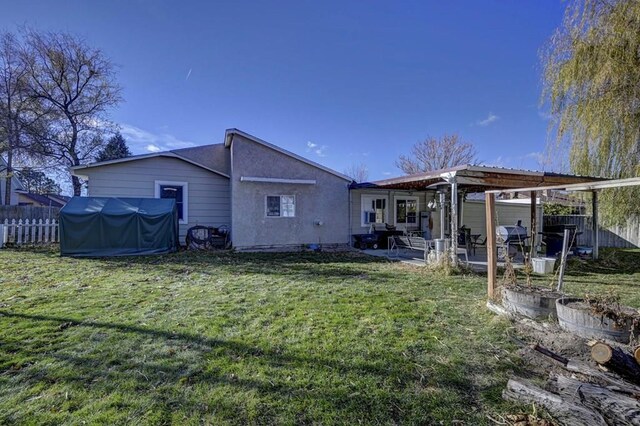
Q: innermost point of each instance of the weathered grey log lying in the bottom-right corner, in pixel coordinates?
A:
(617, 409)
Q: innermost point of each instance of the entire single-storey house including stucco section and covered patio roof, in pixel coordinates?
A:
(271, 198)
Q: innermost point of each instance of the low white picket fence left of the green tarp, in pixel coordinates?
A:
(26, 232)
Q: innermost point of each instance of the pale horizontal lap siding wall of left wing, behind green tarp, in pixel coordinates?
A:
(209, 199)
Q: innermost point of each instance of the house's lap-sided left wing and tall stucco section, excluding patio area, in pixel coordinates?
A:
(269, 198)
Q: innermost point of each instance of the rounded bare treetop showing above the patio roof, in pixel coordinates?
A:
(435, 154)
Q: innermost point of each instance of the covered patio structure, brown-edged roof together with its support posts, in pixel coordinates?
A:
(469, 178)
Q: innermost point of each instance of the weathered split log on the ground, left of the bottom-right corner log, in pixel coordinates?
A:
(566, 411)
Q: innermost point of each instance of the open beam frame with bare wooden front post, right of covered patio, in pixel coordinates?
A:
(490, 198)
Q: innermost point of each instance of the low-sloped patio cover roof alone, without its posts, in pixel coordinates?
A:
(478, 178)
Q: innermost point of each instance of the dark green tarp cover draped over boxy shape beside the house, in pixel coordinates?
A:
(101, 226)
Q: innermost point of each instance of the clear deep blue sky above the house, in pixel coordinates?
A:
(338, 82)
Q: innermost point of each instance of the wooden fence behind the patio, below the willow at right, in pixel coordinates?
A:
(627, 236)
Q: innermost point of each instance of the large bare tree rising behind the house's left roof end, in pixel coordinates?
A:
(77, 83)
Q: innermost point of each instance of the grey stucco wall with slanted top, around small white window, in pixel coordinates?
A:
(326, 201)
